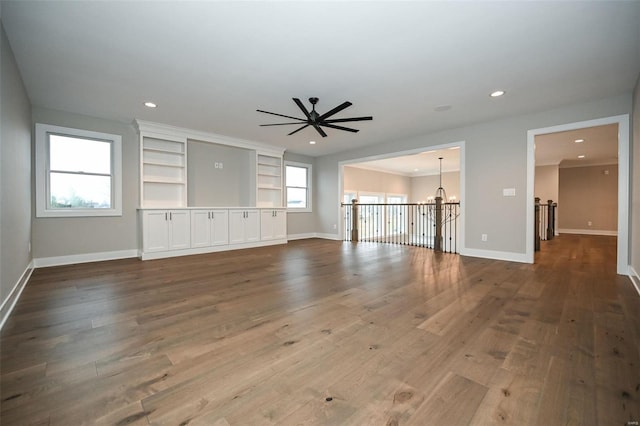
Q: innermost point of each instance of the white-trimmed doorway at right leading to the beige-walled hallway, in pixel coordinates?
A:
(585, 167)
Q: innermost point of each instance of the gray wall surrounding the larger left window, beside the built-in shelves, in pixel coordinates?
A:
(53, 237)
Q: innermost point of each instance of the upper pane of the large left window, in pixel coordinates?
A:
(79, 155)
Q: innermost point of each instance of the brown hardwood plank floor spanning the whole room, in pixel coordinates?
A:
(326, 332)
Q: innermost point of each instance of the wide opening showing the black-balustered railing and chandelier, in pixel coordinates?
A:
(411, 197)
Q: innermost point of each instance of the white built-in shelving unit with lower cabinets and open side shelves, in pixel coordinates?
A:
(169, 226)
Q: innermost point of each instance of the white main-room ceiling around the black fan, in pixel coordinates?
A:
(210, 65)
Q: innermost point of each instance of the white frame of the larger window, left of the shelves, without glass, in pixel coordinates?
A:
(43, 208)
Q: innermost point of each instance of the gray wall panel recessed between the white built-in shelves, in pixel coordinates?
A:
(229, 186)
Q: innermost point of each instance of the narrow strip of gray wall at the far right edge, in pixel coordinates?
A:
(635, 182)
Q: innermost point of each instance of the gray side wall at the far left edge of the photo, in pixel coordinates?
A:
(15, 172)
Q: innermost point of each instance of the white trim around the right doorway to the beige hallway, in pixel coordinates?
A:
(623, 182)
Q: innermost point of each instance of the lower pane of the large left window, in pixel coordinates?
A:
(80, 191)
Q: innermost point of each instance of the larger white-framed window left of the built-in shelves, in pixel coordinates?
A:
(78, 172)
